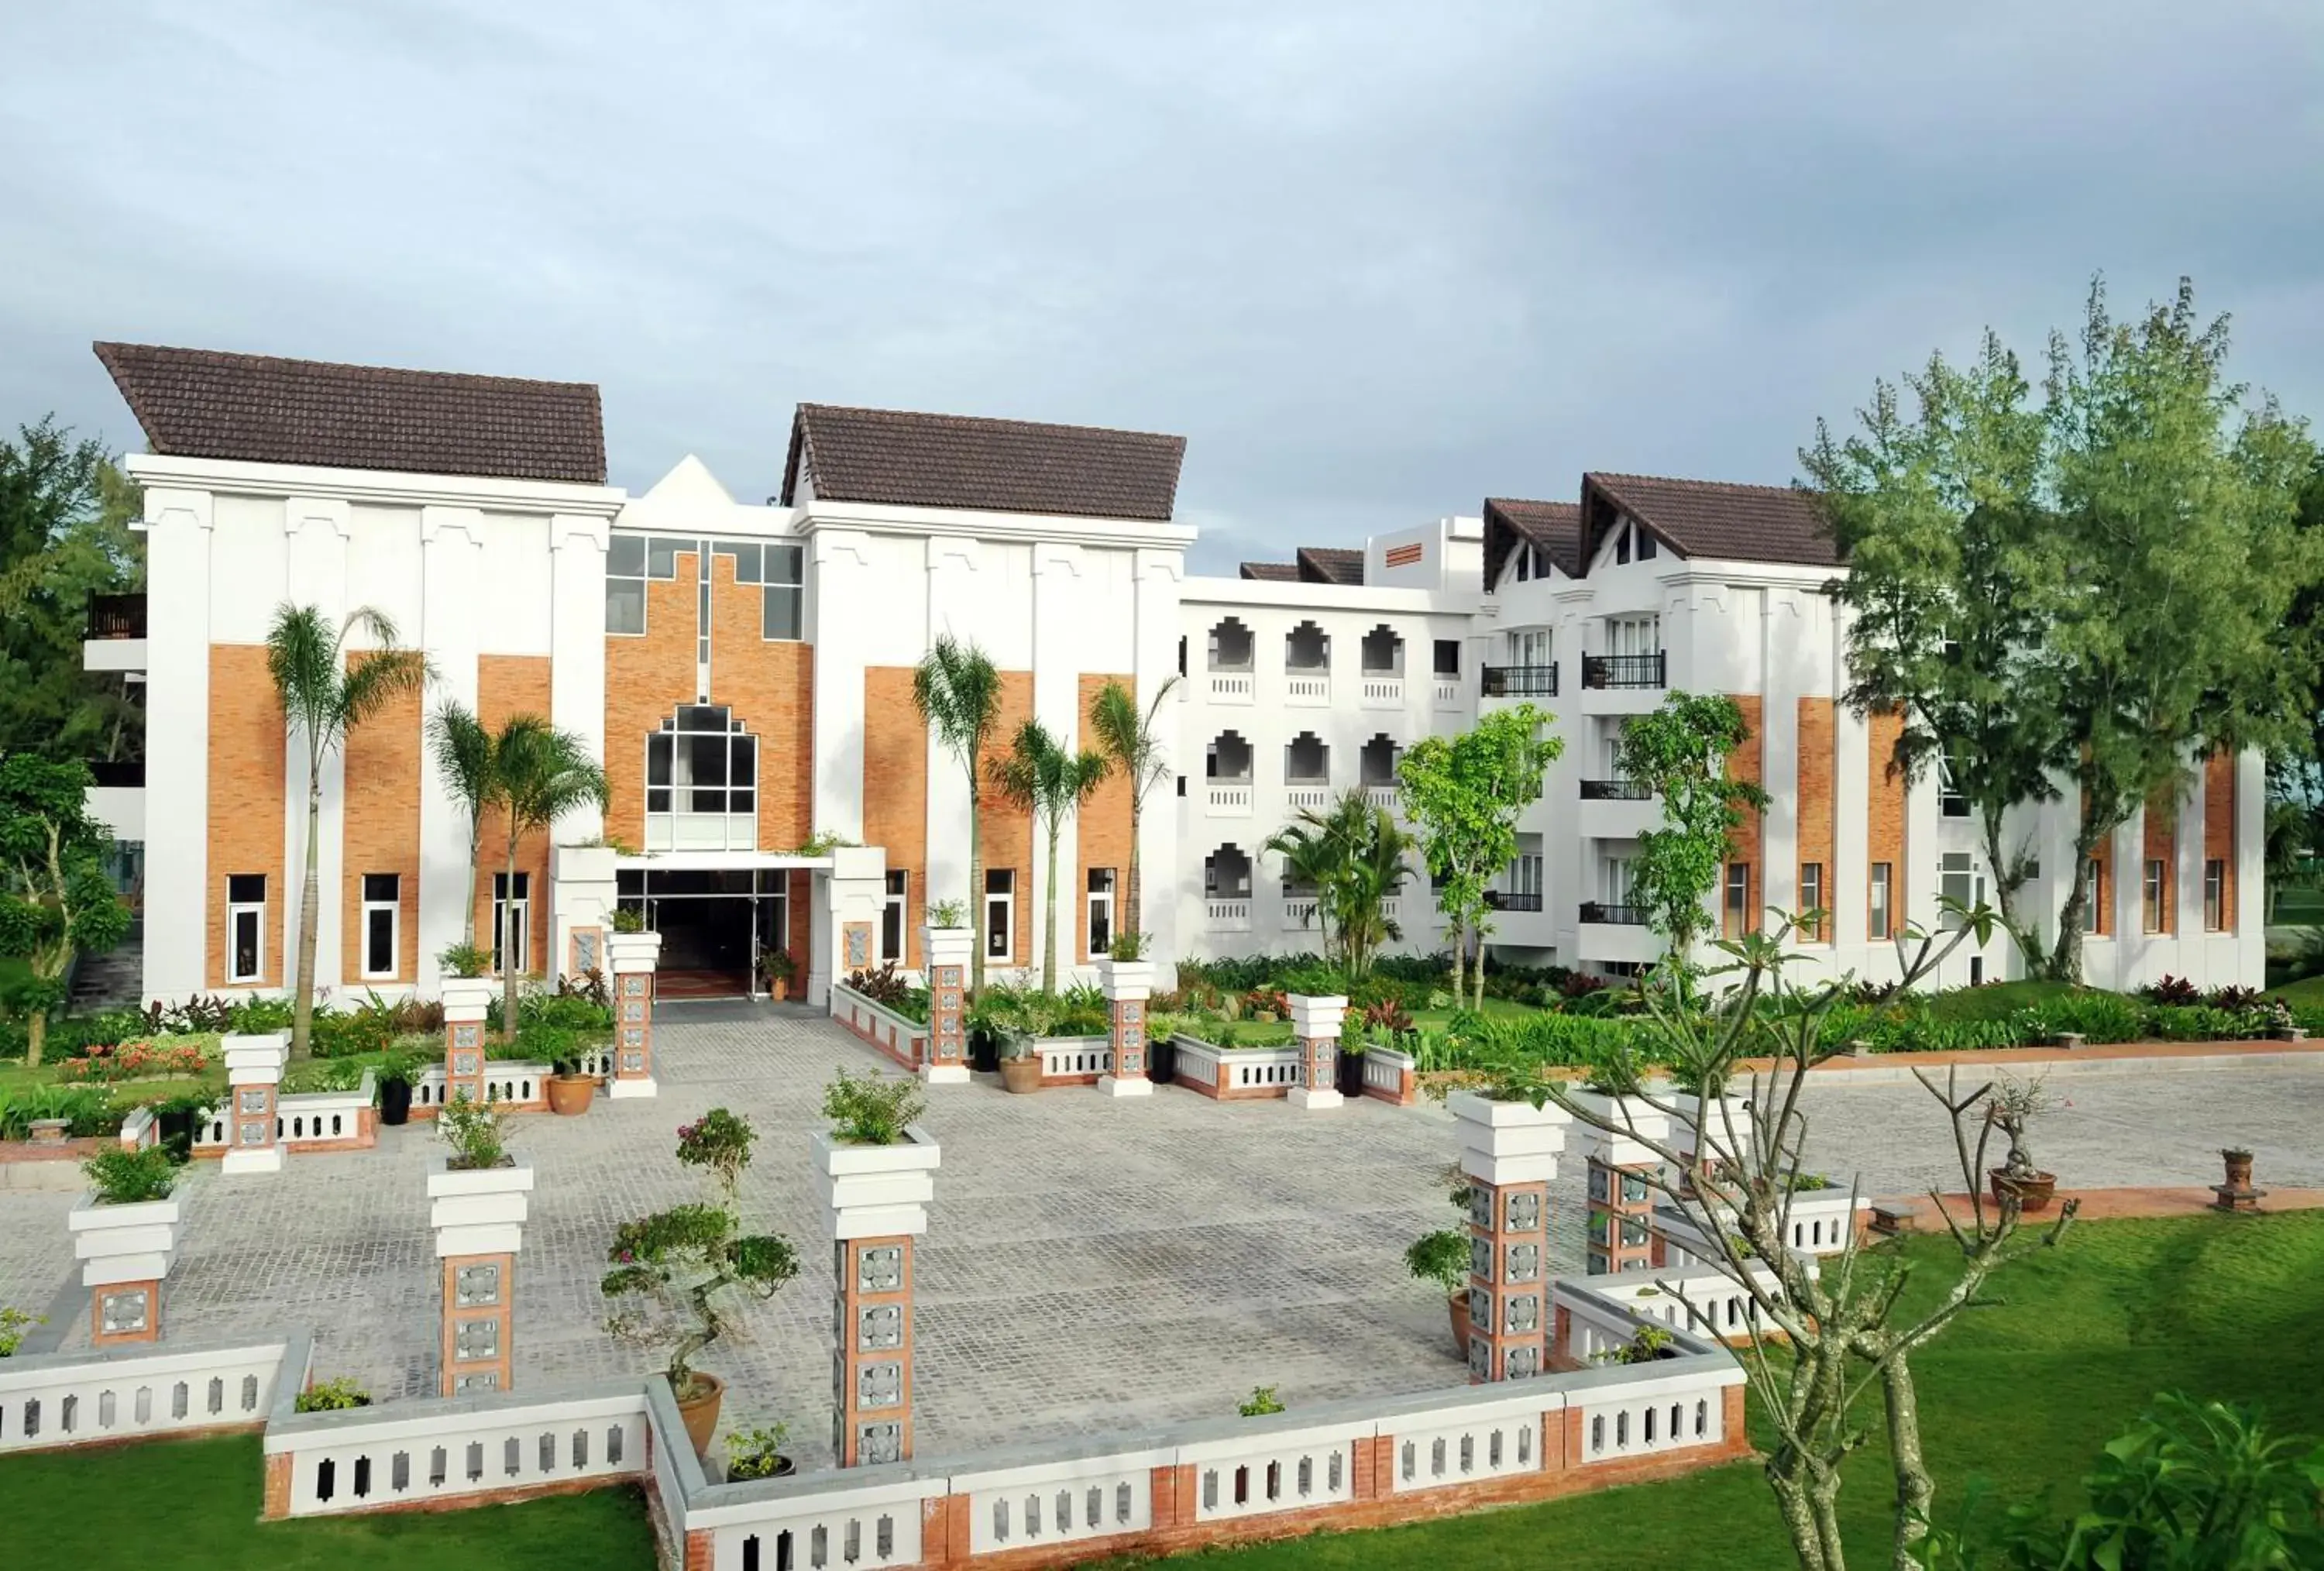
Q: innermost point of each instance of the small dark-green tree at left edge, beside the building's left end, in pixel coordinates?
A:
(55, 896)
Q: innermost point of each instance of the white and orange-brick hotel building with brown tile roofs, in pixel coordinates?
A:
(745, 675)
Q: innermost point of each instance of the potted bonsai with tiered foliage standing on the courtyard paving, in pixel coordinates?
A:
(673, 1268)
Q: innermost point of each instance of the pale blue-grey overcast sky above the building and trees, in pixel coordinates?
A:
(1375, 261)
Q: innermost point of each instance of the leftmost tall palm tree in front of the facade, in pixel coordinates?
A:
(324, 698)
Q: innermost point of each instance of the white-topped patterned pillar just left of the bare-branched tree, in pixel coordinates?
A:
(1509, 1156)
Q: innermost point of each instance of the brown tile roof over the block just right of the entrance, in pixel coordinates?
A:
(998, 466)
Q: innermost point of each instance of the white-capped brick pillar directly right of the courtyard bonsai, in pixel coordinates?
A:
(877, 1205)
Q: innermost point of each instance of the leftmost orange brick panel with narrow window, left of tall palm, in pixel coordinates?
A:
(248, 749)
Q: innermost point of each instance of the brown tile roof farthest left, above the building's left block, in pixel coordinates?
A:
(199, 403)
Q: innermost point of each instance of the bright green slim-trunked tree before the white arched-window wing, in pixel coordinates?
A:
(1465, 796)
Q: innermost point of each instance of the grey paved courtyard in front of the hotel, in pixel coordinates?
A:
(1091, 1265)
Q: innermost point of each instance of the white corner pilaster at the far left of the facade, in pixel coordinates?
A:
(178, 745)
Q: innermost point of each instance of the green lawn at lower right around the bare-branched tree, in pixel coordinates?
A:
(2021, 1393)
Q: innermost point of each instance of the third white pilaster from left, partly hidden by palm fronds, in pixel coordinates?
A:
(452, 608)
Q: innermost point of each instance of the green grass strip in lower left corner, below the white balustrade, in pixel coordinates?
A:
(199, 1507)
